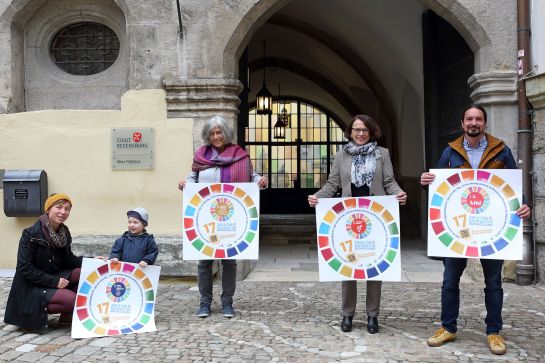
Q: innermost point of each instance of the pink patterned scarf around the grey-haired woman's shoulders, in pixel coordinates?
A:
(234, 162)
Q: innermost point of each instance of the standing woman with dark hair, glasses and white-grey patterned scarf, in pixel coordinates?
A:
(361, 168)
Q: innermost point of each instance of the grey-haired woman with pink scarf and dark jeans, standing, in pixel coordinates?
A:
(219, 161)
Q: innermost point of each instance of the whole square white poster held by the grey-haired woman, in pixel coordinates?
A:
(221, 221)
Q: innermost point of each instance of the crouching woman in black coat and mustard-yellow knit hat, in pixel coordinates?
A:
(47, 273)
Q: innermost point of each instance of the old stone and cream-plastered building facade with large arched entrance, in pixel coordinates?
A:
(72, 71)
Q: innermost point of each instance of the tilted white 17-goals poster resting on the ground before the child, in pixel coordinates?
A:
(114, 299)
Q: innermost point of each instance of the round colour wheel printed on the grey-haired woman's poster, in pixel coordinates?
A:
(205, 236)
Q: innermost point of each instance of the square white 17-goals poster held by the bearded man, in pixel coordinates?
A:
(472, 213)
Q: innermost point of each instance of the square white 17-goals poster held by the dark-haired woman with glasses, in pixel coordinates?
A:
(358, 238)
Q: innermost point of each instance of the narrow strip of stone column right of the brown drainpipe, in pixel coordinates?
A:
(535, 91)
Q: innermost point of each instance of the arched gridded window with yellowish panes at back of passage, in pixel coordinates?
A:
(299, 163)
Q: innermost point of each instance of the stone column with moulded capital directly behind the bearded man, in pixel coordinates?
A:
(497, 91)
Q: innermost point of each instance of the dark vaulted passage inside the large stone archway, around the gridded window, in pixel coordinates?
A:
(410, 83)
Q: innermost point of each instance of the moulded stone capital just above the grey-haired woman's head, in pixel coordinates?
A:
(201, 99)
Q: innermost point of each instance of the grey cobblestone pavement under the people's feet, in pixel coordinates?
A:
(290, 321)
